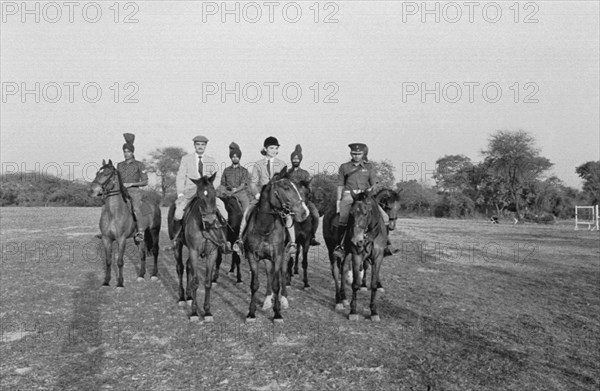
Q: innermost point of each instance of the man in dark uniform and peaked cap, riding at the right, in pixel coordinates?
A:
(355, 176)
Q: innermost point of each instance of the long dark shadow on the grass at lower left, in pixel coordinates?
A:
(82, 352)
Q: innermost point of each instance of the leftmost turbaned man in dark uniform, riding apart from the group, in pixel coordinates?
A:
(133, 176)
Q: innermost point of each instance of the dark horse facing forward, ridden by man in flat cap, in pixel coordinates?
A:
(200, 233)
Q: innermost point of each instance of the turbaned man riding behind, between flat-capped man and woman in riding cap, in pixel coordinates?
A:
(235, 179)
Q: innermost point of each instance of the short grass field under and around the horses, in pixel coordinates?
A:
(467, 306)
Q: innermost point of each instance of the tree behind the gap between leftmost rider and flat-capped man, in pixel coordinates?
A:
(164, 162)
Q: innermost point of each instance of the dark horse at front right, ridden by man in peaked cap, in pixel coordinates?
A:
(365, 241)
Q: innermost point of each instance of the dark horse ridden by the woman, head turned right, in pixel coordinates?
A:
(265, 239)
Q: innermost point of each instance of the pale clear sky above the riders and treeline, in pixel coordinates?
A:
(361, 68)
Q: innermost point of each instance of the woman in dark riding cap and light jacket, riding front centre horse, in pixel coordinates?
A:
(262, 172)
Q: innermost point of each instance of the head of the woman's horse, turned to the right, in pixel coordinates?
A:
(284, 195)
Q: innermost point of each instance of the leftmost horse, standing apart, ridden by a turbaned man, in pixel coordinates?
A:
(117, 222)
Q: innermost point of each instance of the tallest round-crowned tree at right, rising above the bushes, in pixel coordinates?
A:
(513, 158)
